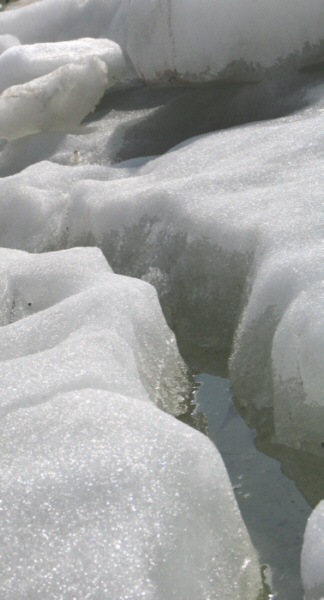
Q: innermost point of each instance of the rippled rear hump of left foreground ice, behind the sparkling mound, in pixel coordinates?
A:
(97, 328)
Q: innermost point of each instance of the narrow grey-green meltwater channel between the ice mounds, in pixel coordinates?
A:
(274, 510)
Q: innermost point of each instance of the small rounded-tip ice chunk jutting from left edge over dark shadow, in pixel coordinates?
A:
(59, 100)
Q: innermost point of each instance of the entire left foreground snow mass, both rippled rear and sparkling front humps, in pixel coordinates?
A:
(102, 493)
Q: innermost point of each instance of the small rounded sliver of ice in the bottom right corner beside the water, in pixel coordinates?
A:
(312, 555)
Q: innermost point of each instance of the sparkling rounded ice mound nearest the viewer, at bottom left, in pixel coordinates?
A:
(106, 496)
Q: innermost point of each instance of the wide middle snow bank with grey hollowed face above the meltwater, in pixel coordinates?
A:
(201, 224)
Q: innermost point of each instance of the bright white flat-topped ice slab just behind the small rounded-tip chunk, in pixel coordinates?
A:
(20, 64)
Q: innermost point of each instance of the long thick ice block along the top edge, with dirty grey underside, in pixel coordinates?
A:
(171, 42)
